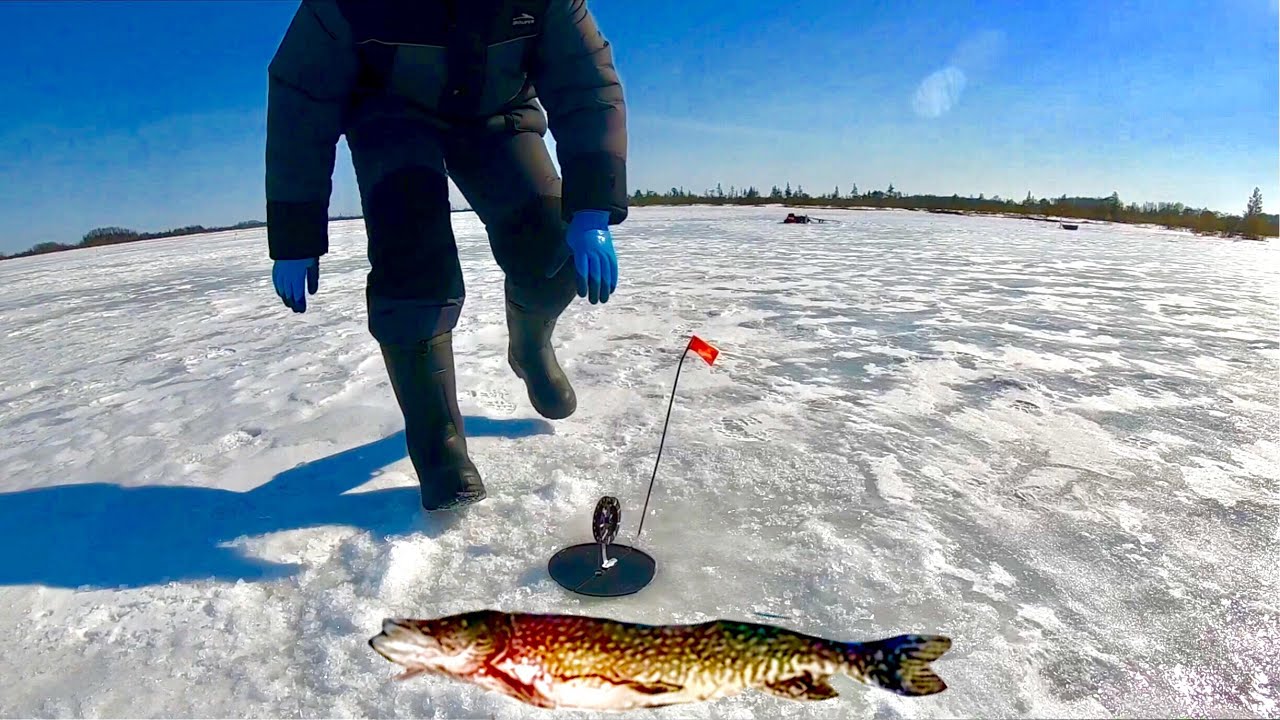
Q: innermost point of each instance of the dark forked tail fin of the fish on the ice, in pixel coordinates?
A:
(900, 664)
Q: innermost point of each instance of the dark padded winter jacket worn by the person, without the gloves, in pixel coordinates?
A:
(459, 65)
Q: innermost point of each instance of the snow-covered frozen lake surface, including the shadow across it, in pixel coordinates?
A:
(1059, 449)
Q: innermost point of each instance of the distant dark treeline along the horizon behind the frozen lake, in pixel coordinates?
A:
(1252, 224)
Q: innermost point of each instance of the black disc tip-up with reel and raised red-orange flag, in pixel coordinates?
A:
(606, 569)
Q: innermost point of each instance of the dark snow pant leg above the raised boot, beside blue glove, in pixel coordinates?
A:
(510, 181)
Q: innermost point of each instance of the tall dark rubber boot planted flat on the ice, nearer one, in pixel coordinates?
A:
(424, 384)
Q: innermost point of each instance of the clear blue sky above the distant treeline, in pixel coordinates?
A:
(150, 115)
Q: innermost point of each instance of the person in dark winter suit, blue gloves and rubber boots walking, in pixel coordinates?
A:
(432, 90)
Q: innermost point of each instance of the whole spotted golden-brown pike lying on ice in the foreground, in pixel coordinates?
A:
(597, 664)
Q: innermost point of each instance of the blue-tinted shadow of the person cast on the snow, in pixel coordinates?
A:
(108, 536)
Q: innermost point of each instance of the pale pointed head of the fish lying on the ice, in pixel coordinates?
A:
(456, 645)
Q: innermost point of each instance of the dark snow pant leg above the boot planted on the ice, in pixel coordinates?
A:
(415, 288)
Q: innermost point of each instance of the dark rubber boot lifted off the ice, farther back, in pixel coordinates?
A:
(531, 356)
